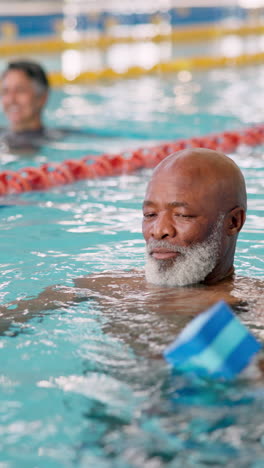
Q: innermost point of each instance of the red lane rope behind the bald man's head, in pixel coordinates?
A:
(52, 174)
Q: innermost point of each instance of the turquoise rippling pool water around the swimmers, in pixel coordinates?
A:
(79, 387)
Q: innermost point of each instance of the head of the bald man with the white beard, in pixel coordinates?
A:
(194, 208)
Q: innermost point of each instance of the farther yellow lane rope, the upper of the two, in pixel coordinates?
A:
(55, 44)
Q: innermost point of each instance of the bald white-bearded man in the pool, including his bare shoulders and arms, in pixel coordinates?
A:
(194, 209)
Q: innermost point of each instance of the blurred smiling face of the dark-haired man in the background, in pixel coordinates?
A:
(21, 101)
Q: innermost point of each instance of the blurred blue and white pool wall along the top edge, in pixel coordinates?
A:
(23, 20)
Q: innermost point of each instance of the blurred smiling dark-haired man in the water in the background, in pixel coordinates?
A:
(24, 92)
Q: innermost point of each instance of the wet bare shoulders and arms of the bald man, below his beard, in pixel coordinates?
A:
(145, 316)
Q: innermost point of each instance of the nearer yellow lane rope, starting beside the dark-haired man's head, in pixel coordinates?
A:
(203, 62)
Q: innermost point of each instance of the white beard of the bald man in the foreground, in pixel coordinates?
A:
(194, 264)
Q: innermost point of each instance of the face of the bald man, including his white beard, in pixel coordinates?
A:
(182, 228)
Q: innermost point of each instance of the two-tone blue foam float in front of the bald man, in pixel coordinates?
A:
(213, 344)
